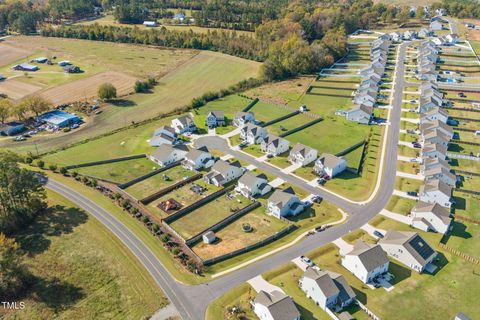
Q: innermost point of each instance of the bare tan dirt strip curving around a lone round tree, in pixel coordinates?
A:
(87, 88)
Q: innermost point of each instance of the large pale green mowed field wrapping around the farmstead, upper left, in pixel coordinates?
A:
(183, 80)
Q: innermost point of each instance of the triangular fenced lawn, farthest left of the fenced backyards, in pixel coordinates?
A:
(119, 172)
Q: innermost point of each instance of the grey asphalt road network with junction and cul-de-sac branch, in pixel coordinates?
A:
(192, 301)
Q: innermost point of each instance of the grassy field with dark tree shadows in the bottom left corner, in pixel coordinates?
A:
(79, 270)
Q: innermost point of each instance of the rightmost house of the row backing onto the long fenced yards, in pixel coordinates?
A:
(284, 203)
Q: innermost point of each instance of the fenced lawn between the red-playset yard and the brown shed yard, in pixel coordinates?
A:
(207, 215)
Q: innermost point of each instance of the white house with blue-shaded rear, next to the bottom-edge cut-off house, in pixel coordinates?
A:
(327, 289)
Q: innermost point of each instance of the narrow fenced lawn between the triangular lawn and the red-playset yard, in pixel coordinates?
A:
(158, 182)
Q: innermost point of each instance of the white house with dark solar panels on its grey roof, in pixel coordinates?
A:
(409, 248)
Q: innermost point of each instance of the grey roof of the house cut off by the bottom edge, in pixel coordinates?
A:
(280, 305)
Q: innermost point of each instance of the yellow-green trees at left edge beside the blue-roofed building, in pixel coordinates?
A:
(31, 105)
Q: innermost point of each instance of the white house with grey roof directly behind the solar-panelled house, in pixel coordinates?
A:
(431, 217)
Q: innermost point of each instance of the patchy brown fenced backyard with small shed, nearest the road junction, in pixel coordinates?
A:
(232, 237)
